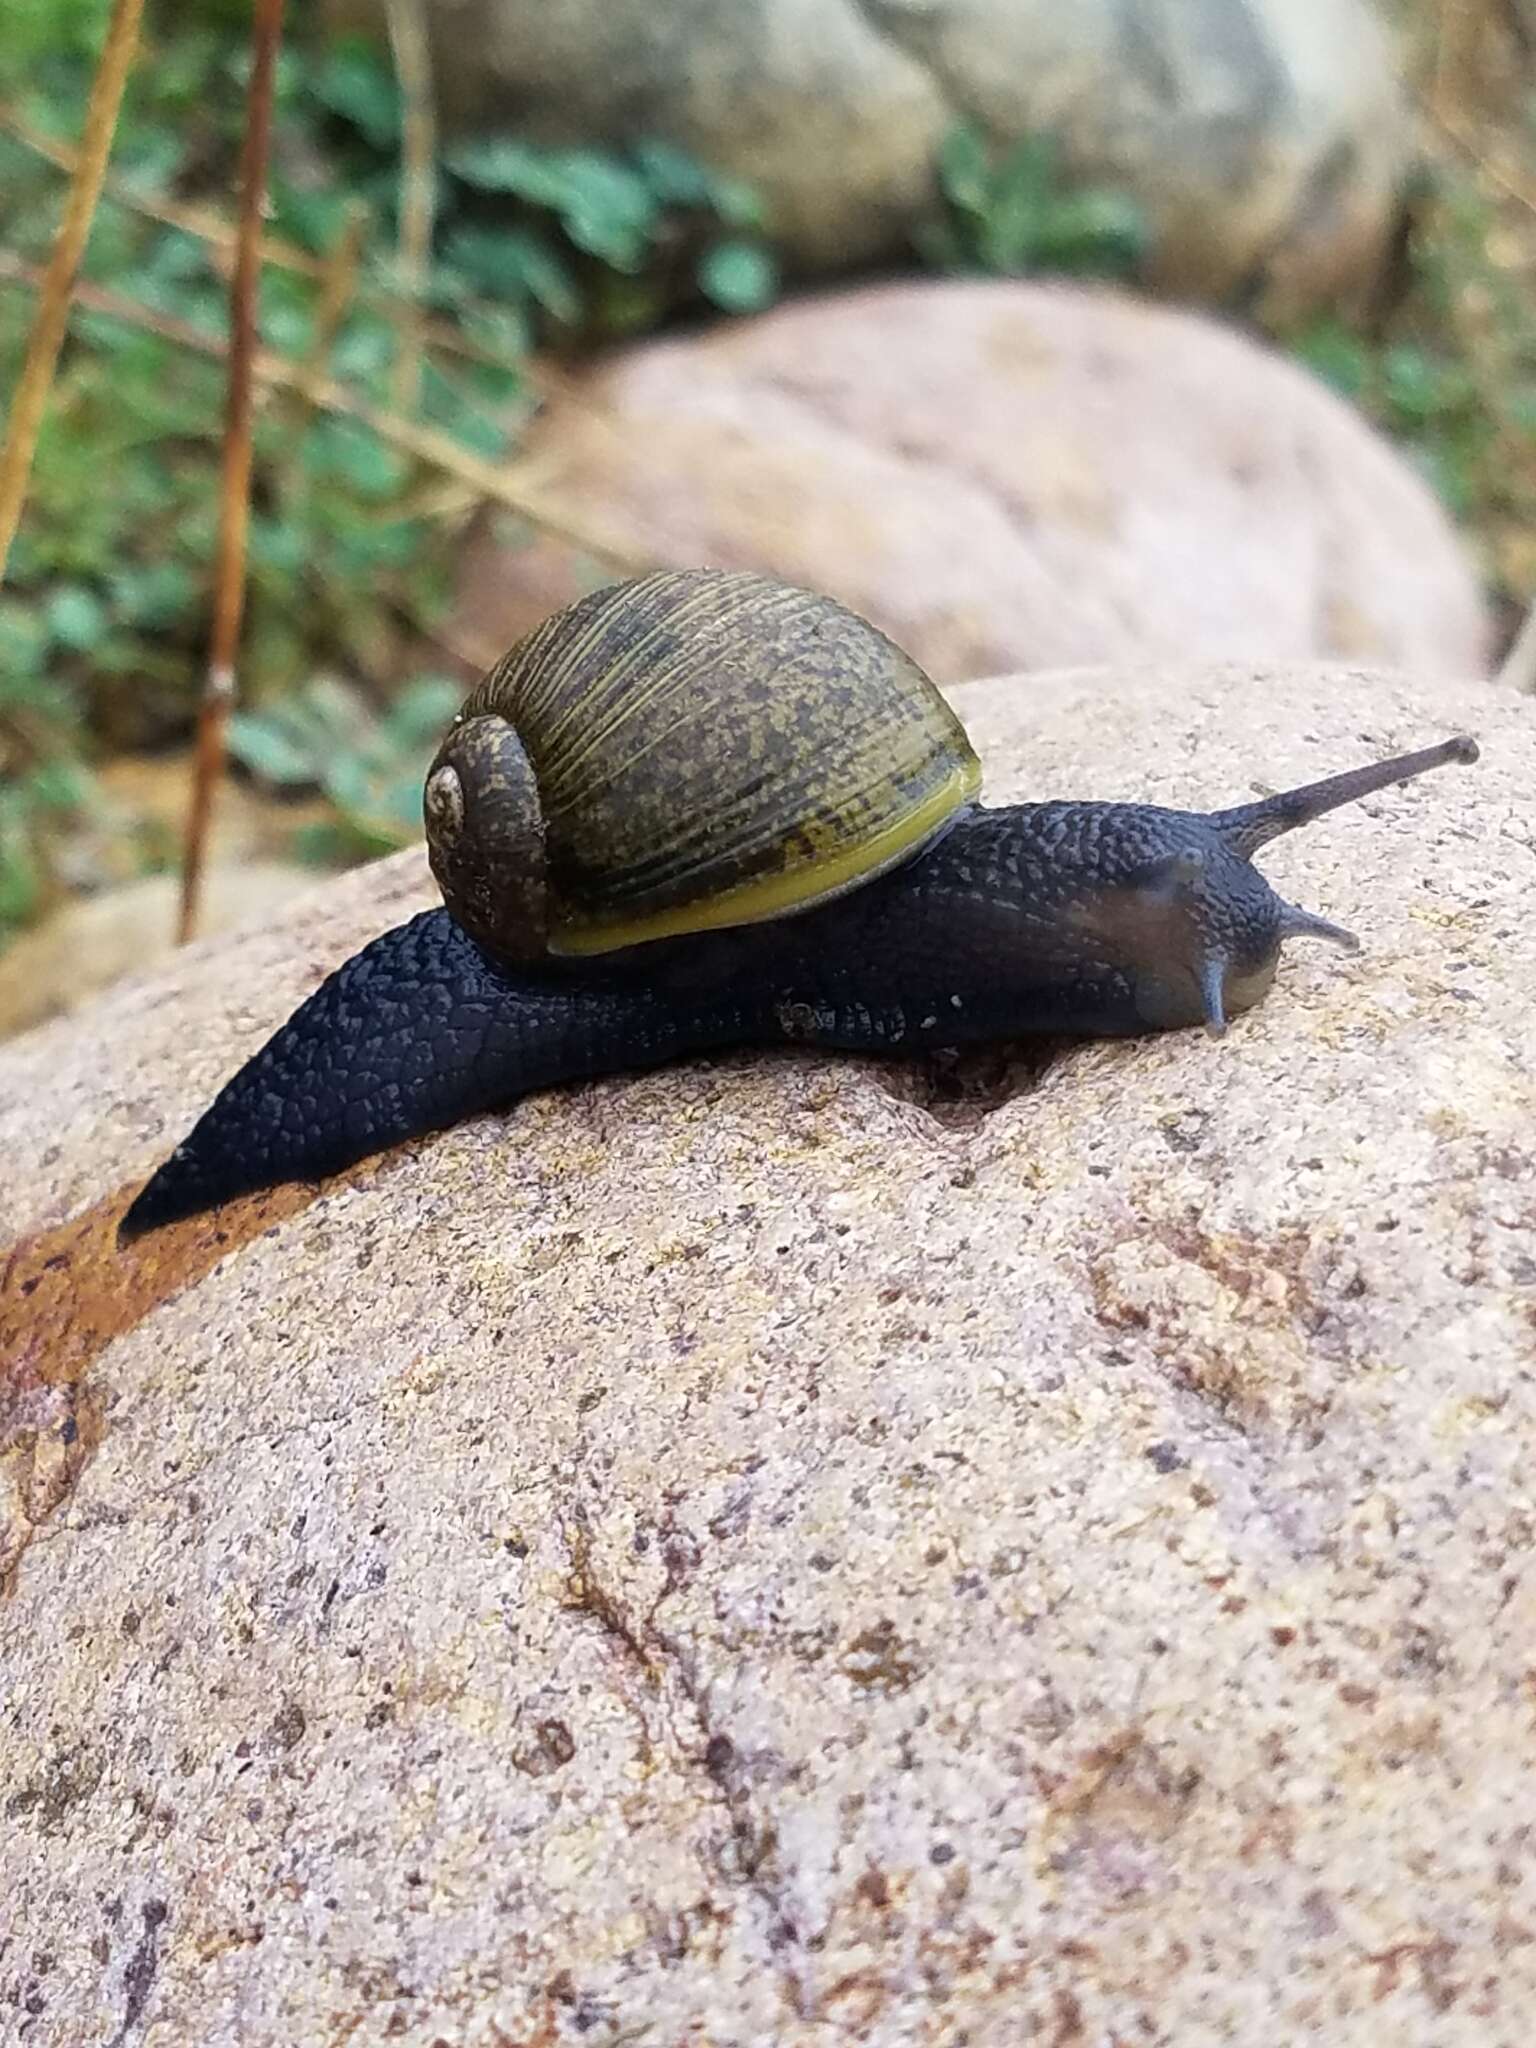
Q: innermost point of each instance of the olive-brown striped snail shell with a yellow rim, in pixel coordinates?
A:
(681, 753)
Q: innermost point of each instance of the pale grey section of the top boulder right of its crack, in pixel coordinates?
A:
(1267, 140)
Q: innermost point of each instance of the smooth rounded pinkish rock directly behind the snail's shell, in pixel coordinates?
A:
(1007, 476)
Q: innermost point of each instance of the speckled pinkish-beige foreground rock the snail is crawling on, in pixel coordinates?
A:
(779, 1551)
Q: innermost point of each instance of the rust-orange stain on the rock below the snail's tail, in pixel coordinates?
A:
(65, 1297)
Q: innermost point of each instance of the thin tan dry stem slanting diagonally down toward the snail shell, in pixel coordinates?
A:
(490, 482)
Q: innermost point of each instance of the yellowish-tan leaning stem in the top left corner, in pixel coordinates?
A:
(52, 318)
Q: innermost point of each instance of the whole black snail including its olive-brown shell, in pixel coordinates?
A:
(708, 810)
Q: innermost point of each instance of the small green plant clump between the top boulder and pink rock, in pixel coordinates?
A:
(1013, 214)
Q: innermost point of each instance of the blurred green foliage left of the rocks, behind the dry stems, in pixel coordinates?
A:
(351, 542)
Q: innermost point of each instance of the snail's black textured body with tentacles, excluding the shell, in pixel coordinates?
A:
(1064, 919)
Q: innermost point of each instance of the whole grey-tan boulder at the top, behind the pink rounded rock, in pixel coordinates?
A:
(1265, 138)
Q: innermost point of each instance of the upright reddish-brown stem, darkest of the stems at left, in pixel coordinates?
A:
(234, 493)
